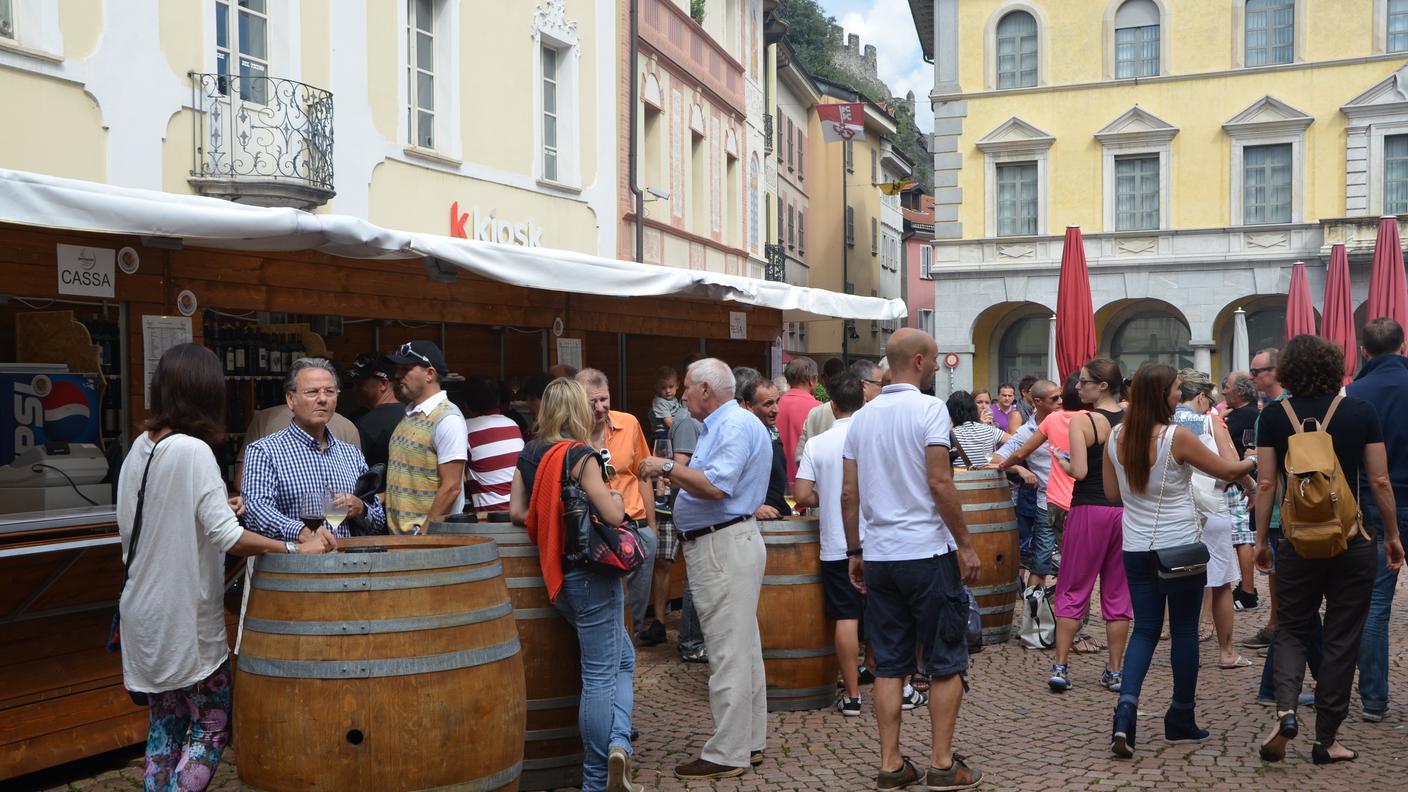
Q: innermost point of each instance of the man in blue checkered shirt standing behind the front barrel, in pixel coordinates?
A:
(305, 462)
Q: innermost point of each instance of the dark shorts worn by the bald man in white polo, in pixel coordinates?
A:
(917, 604)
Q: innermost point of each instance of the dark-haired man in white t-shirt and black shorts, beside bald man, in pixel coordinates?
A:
(819, 485)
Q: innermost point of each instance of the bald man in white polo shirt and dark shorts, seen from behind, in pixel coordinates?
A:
(898, 480)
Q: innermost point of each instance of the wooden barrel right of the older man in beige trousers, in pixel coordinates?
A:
(799, 641)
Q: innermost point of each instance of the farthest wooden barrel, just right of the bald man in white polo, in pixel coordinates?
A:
(988, 509)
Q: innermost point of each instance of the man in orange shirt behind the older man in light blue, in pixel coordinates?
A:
(620, 439)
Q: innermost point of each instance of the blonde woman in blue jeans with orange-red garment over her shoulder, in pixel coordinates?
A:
(595, 604)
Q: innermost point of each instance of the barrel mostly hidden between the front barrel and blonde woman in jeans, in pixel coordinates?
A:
(553, 743)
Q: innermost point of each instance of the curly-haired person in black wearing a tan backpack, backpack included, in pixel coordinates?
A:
(1321, 442)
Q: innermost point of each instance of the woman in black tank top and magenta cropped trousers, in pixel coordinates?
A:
(1092, 542)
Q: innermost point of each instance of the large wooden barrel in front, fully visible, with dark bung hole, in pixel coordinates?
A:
(394, 664)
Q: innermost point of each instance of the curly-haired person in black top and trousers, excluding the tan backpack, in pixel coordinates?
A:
(1313, 369)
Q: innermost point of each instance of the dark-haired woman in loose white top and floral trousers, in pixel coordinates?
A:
(175, 652)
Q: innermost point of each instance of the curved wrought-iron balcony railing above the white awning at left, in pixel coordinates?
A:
(263, 129)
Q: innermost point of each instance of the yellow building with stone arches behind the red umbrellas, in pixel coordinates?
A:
(1203, 147)
